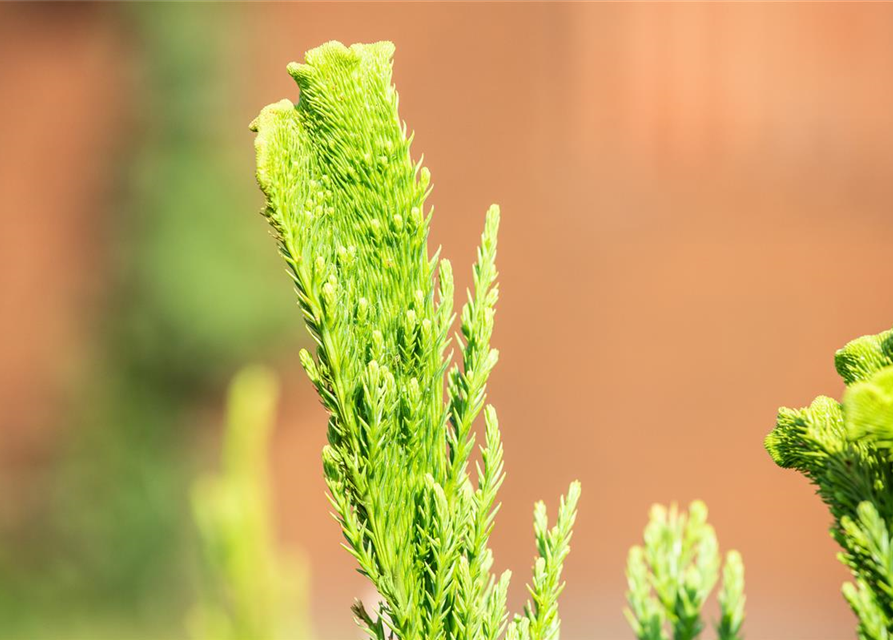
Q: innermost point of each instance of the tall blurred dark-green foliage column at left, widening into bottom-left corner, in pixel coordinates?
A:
(192, 294)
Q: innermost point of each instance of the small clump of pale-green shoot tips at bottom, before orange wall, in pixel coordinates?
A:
(671, 577)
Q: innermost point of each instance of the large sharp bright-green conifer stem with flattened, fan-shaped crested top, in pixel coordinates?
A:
(347, 204)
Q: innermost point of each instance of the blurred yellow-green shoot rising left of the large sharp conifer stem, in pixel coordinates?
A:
(250, 591)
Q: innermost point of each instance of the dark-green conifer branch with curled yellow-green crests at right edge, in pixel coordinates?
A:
(845, 450)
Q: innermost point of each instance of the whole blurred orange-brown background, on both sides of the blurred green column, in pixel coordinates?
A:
(696, 209)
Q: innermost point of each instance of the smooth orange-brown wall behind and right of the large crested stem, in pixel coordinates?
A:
(696, 205)
